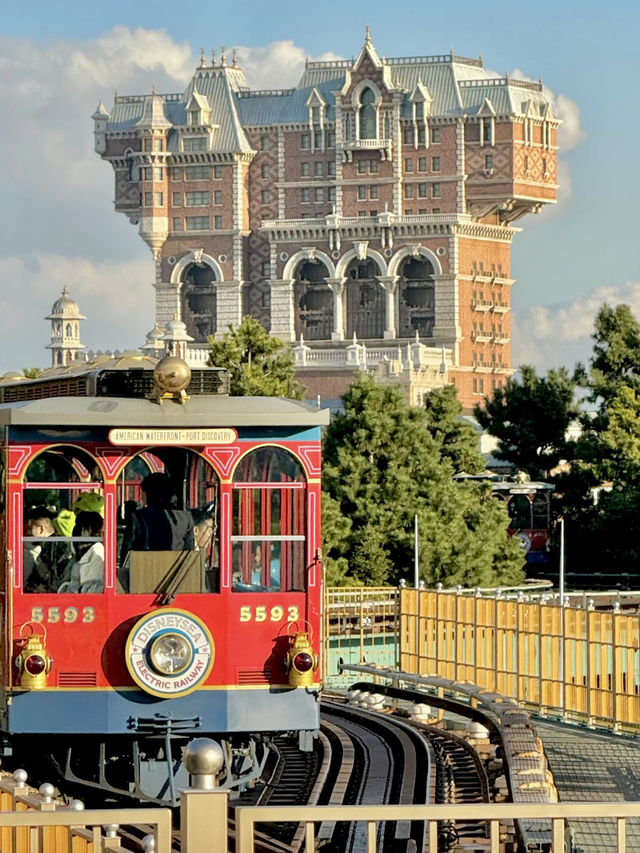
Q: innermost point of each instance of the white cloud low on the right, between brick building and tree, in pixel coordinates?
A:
(561, 334)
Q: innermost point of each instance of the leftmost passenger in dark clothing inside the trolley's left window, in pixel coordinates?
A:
(47, 564)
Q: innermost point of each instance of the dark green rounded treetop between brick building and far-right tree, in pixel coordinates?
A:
(529, 416)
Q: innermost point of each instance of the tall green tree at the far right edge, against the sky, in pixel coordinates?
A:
(600, 535)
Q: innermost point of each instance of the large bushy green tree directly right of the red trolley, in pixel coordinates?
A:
(383, 466)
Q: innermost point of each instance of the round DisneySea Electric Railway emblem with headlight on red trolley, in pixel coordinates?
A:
(169, 652)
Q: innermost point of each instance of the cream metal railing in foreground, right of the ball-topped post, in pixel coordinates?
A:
(494, 813)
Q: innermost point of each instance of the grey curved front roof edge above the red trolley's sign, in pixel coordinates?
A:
(198, 411)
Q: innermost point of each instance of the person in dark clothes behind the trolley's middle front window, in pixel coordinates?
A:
(158, 526)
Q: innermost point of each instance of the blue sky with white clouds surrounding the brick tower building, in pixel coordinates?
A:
(58, 58)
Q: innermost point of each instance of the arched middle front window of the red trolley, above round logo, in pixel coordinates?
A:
(168, 524)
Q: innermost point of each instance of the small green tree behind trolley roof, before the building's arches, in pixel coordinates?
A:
(258, 363)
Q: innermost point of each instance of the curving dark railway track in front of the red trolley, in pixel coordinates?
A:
(363, 757)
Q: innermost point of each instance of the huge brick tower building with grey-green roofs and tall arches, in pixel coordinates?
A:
(364, 215)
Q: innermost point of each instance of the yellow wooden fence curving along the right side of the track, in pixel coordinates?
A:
(577, 662)
